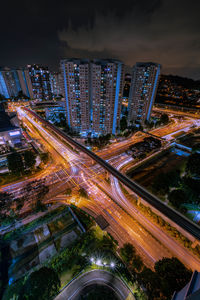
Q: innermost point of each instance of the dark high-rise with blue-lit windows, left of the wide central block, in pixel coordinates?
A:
(40, 79)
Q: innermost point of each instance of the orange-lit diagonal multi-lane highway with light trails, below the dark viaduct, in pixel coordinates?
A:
(123, 226)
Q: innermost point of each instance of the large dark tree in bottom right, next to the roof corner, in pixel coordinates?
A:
(173, 275)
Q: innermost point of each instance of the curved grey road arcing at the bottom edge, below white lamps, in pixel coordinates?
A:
(100, 277)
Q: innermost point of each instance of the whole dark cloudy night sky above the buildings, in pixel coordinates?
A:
(163, 31)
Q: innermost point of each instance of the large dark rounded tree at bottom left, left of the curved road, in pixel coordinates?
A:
(42, 284)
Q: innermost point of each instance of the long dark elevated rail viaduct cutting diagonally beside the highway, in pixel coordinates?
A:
(184, 223)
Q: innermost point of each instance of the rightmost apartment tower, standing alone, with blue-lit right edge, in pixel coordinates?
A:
(142, 94)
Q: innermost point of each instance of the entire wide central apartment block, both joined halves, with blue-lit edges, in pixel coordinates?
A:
(93, 93)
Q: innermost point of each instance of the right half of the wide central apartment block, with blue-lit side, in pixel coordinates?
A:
(106, 85)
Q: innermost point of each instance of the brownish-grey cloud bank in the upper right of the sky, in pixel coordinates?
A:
(166, 32)
